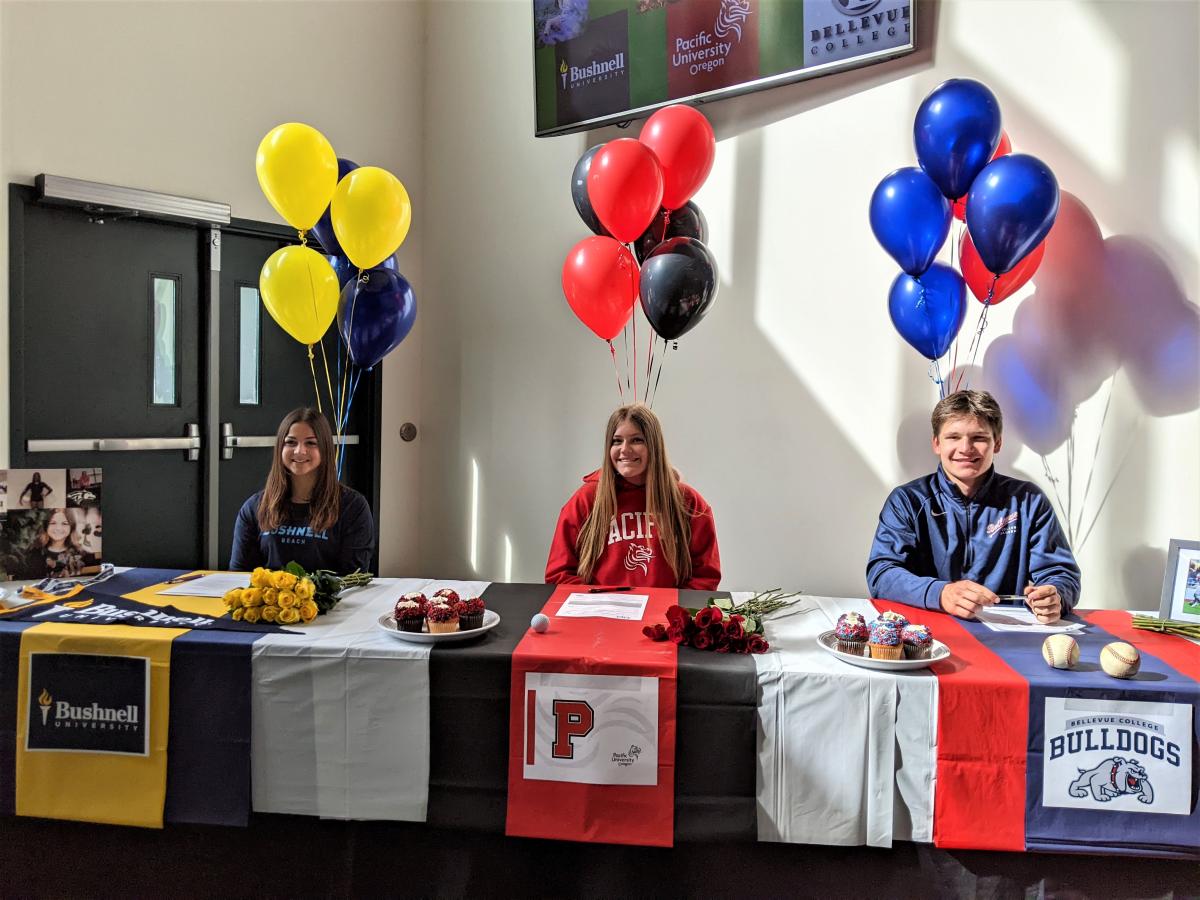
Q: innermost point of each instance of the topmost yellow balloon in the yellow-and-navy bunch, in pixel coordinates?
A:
(298, 172)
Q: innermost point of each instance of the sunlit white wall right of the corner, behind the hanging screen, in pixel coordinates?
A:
(795, 407)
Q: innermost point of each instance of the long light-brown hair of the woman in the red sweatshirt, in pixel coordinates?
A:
(664, 500)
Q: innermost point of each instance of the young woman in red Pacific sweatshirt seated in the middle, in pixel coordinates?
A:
(634, 523)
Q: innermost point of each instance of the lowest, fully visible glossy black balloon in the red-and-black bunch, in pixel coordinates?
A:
(679, 285)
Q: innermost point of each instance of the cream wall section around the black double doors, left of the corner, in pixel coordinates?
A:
(176, 97)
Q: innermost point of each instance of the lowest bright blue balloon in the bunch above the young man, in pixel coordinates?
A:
(928, 314)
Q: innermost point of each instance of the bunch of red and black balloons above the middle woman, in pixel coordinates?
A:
(650, 239)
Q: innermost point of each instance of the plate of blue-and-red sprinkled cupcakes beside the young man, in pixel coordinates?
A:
(887, 644)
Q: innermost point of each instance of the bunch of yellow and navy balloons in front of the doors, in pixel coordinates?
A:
(361, 215)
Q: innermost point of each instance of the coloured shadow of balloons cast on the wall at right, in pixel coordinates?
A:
(1101, 307)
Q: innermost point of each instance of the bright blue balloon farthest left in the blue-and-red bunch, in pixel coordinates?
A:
(910, 219)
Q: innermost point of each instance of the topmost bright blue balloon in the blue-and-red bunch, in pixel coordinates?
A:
(957, 131)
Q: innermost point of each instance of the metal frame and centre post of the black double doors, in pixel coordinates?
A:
(209, 225)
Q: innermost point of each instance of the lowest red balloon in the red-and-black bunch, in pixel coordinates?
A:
(601, 284)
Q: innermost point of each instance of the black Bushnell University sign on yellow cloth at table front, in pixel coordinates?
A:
(88, 704)
